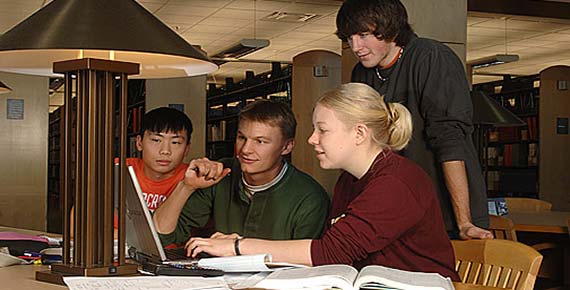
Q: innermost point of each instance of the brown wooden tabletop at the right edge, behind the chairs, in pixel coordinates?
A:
(543, 222)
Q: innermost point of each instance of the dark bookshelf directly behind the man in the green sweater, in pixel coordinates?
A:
(224, 103)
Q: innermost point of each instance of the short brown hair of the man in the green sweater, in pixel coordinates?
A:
(276, 113)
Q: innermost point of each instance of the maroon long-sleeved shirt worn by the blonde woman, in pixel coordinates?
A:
(389, 217)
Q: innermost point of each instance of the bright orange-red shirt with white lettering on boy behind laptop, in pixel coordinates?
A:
(156, 192)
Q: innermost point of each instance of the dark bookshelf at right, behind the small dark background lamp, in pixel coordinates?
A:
(510, 157)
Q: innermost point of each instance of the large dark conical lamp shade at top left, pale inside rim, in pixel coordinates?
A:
(119, 30)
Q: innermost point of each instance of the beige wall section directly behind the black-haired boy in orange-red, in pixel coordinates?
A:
(189, 91)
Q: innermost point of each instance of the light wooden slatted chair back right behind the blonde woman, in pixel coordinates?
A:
(496, 263)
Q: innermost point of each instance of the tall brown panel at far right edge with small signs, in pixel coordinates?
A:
(554, 156)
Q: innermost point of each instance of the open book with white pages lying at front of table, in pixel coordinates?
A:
(346, 277)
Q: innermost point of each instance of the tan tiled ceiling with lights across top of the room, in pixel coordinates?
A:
(218, 24)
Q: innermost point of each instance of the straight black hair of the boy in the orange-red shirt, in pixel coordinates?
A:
(166, 119)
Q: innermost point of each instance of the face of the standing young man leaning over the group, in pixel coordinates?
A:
(371, 51)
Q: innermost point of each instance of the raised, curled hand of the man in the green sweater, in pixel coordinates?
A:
(203, 173)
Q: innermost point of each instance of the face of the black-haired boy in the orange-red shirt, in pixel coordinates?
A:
(162, 152)
